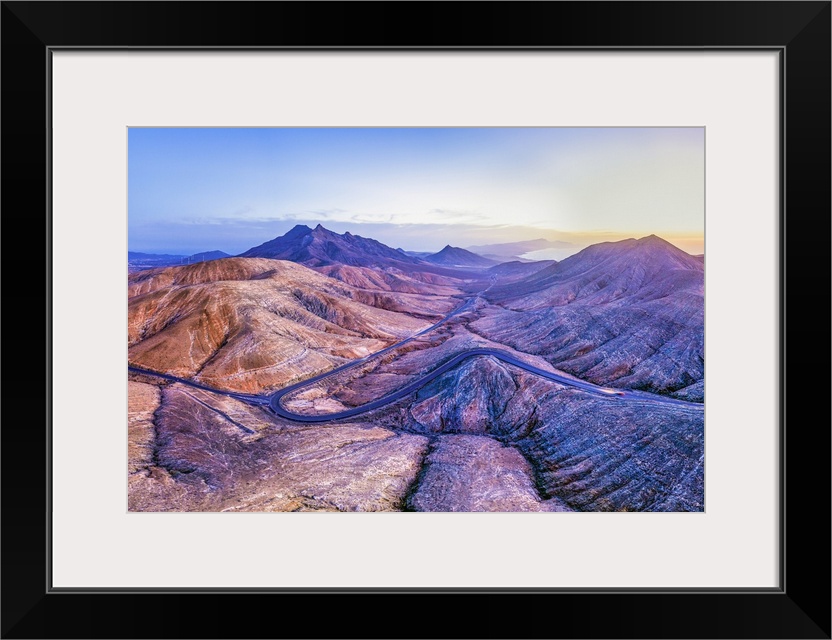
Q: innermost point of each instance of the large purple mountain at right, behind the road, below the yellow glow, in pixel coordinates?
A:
(627, 314)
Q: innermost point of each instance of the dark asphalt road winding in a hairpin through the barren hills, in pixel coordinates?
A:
(273, 401)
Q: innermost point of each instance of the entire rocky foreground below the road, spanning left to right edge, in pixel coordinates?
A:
(520, 445)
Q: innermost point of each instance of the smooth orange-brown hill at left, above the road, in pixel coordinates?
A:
(248, 324)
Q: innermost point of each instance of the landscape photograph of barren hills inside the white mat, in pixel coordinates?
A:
(459, 319)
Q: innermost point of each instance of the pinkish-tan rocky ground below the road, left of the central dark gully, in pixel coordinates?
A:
(212, 453)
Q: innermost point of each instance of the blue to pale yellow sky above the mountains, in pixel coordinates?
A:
(201, 189)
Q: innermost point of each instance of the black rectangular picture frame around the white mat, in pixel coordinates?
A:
(798, 608)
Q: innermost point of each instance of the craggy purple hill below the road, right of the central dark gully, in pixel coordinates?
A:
(587, 453)
